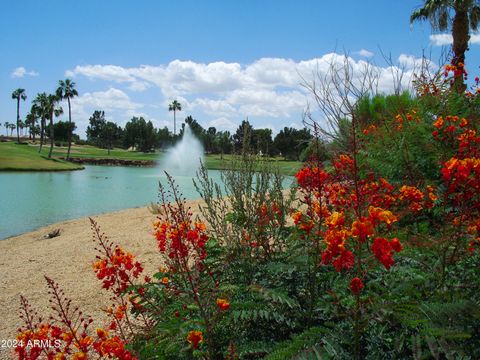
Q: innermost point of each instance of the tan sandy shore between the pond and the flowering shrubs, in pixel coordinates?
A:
(25, 259)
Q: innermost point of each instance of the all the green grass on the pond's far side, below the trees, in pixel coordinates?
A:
(25, 157)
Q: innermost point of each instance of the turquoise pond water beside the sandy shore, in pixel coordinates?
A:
(29, 200)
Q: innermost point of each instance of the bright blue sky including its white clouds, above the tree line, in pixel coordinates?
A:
(223, 60)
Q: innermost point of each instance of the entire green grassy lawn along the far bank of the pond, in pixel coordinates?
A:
(26, 157)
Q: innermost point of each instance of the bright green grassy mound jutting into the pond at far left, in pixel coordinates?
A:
(26, 157)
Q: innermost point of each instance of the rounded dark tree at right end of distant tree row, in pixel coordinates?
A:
(291, 142)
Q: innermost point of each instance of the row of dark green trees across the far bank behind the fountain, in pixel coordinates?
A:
(141, 135)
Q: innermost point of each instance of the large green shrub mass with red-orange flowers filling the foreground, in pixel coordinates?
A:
(380, 261)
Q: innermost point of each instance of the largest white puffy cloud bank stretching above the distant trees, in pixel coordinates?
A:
(221, 94)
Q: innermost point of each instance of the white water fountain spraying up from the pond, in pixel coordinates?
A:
(185, 157)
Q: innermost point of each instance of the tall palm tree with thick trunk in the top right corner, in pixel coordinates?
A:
(461, 16)
